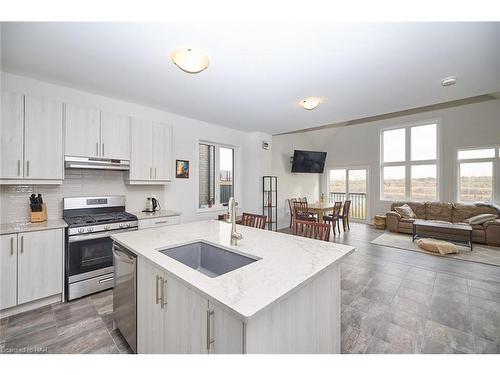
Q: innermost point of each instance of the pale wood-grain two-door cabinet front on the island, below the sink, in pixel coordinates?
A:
(173, 318)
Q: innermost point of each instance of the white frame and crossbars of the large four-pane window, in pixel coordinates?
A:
(408, 163)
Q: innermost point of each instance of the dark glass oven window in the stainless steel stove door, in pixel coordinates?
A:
(90, 255)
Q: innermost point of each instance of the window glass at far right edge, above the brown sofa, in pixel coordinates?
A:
(478, 173)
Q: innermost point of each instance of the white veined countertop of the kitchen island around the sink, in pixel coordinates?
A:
(286, 261)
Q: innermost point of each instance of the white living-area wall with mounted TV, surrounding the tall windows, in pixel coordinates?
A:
(359, 145)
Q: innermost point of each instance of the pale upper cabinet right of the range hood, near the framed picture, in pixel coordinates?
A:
(151, 152)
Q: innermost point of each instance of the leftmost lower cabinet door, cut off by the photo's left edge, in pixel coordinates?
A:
(8, 271)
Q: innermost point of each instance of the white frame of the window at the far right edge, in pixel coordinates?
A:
(495, 170)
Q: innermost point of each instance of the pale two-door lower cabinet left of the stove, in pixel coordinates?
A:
(31, 266)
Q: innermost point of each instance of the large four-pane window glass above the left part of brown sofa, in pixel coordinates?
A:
(409, 160)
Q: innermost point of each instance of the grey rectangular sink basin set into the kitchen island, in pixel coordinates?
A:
(208, 259)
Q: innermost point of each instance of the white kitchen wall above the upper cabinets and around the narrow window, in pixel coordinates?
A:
(180, 194)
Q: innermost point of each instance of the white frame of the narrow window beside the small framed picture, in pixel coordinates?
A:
(216, 206)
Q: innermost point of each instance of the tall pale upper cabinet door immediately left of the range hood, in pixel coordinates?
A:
(43, 131)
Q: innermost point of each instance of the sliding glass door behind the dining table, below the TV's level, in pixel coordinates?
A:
(350, 184)
